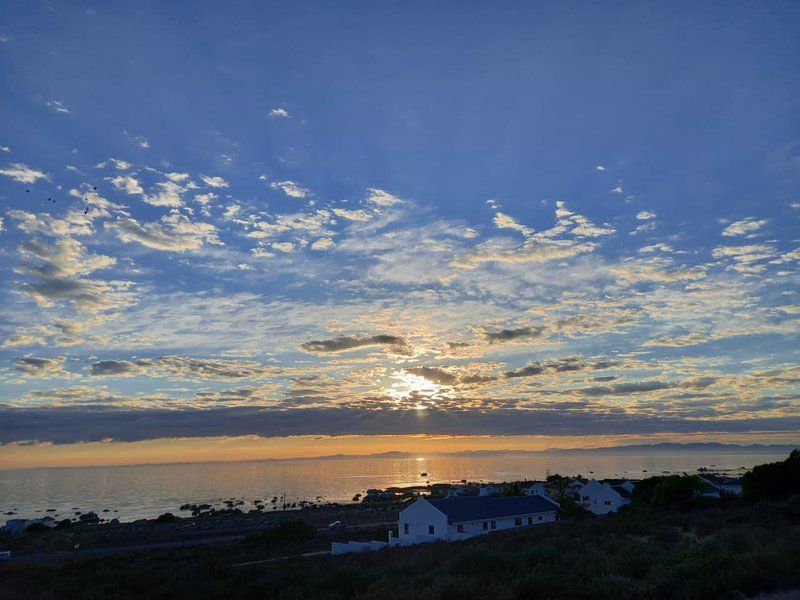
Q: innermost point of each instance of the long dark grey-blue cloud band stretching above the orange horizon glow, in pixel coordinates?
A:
(72, 424)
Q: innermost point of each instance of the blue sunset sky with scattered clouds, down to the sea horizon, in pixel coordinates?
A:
(281, 229)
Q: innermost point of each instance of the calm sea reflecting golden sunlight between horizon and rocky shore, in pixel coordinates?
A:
(146, 491)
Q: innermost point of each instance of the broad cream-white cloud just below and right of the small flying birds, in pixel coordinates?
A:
(173, 233)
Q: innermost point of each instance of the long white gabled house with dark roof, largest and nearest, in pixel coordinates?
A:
(460, 518)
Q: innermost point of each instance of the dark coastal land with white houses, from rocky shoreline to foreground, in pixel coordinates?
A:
(471, 530)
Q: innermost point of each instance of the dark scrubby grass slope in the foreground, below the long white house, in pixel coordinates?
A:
(695, 551)
